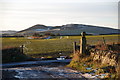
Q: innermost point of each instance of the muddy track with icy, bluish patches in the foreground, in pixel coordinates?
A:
(48, 71)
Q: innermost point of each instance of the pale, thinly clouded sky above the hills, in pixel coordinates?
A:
(22, 14)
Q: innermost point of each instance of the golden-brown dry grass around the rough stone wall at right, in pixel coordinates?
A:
(79, 61)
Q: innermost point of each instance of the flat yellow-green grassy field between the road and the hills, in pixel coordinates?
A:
(51, 47)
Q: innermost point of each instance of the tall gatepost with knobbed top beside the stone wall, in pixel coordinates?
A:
(83, 43)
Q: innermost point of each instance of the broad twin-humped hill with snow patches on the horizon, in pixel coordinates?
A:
(69, 29)
